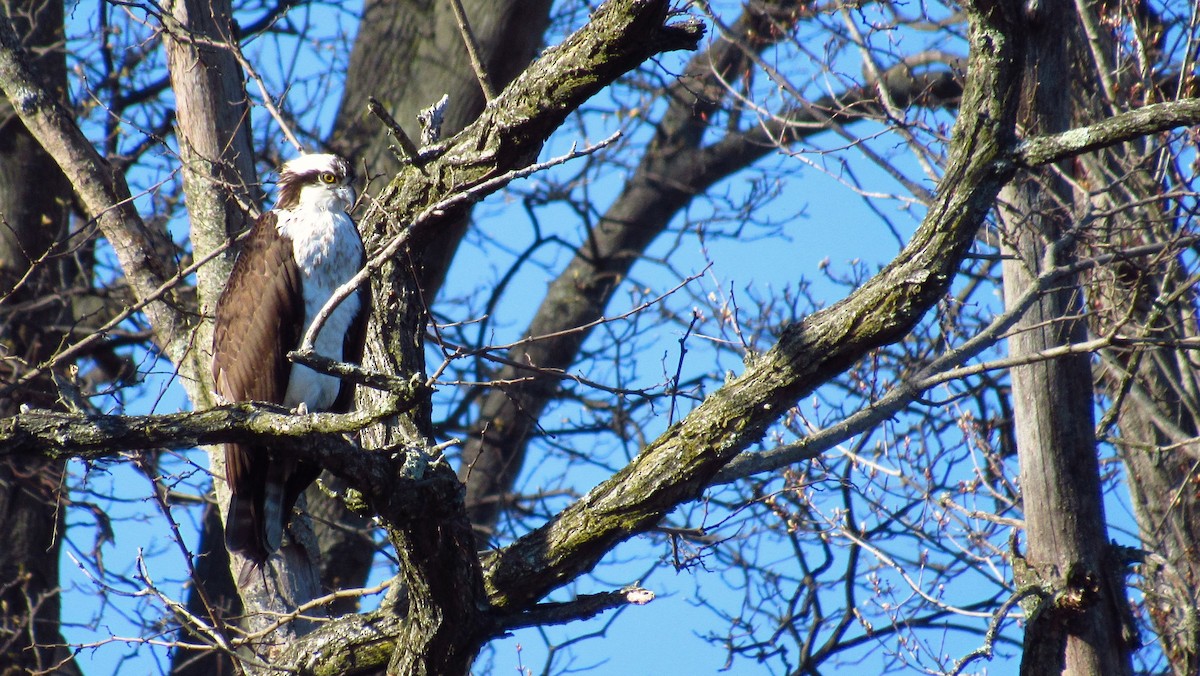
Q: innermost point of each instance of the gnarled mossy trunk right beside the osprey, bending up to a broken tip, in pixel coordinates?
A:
(448, 617)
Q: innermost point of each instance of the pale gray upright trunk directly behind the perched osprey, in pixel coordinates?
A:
(219, 177)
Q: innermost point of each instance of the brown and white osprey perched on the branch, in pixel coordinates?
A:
(296, 258)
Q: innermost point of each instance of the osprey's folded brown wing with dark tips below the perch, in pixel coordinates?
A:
(260, 319)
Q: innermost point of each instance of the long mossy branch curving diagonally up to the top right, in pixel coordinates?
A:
(679, 466)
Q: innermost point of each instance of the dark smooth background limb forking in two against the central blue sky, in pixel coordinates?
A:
(677, 167)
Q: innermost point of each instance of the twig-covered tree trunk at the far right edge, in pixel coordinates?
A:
(1155, 388)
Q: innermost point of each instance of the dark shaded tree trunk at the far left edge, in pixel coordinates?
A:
(35, 212)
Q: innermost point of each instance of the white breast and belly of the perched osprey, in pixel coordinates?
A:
(329, 253)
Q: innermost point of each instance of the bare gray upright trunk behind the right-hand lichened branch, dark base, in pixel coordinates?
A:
(1076, 627)
